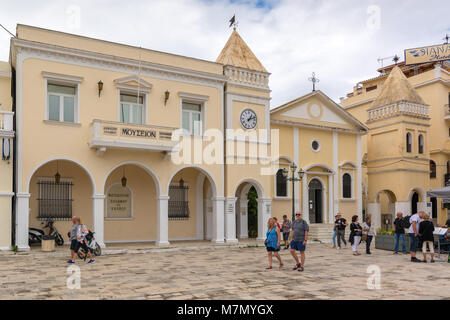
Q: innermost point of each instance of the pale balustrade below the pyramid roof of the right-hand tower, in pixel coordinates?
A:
(397, 109)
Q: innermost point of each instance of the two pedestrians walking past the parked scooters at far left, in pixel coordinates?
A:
(77, 236)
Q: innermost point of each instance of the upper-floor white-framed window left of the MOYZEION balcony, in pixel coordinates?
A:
(61, 102)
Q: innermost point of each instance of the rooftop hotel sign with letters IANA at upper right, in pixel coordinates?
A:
(435, 53)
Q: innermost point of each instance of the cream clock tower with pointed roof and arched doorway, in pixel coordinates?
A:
(247, 139)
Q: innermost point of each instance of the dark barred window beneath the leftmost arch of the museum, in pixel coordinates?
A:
(55, 199)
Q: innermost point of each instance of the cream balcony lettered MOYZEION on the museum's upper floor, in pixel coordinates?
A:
(118, 135)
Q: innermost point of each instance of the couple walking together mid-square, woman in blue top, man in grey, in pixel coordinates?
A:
(295, 236)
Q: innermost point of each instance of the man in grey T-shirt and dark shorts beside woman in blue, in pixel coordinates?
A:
(300, 231)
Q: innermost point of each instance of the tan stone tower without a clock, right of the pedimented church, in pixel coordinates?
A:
(397, 150)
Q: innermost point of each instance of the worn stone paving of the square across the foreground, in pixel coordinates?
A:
(224, 273)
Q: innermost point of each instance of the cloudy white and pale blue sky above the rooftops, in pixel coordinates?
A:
(339, 40)
